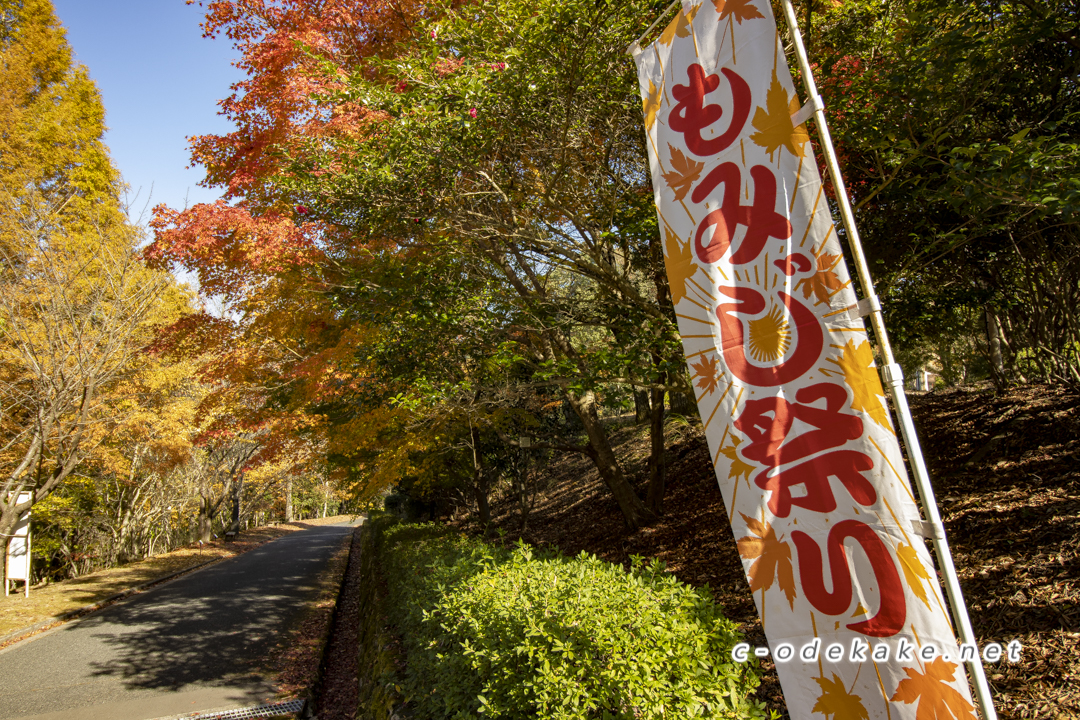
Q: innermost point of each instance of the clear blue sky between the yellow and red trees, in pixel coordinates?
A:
(160, 83)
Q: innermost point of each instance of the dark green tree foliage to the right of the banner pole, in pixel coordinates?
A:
(958, 127)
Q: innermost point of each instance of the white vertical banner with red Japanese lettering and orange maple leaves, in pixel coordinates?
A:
(793, 409)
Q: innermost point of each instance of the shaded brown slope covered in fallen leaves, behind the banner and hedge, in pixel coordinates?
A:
(1007, 473)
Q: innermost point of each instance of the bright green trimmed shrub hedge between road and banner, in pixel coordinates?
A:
(497, 633)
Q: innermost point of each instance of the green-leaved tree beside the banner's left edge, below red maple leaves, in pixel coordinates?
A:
(510, 135)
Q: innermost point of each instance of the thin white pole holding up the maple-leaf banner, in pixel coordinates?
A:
(894, 379)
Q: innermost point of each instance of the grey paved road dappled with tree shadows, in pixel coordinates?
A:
(183, 647)
